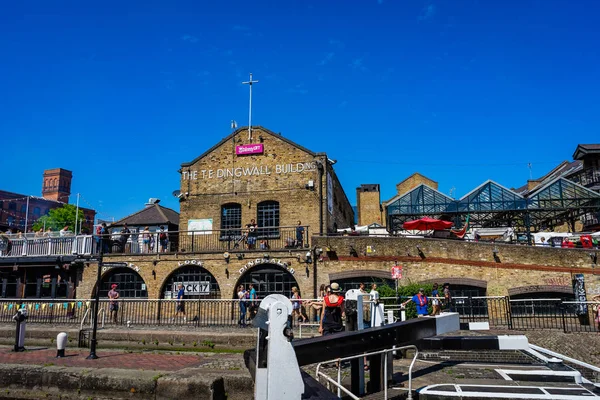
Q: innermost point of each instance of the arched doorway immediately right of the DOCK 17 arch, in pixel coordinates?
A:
(268, 279)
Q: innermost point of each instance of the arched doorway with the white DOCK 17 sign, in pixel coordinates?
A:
(197, 281)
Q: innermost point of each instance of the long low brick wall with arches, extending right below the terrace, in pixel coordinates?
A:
(511, 269)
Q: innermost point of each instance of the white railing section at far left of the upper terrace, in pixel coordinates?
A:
(47, 246)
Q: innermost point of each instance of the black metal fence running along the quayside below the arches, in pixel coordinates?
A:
(499, 312)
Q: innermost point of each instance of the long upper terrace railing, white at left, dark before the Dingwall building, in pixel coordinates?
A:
(262, 239)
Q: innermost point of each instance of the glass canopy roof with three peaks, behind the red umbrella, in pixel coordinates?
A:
(493, 205)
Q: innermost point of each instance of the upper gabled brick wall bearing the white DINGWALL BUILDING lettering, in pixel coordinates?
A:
(281, 173)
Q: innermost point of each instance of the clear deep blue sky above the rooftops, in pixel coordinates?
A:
(122, 93)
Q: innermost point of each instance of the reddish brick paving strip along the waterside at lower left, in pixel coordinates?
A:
(162, 361)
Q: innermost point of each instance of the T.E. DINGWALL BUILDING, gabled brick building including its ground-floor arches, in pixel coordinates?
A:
(290, 191)
